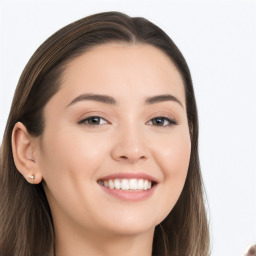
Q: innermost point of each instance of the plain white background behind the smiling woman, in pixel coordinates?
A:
(218, 40)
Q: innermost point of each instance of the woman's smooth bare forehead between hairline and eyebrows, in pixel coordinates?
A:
(119, 68)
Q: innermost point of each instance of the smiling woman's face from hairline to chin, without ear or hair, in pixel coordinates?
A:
(119, 120)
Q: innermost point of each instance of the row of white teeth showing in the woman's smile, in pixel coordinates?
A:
(127, 184)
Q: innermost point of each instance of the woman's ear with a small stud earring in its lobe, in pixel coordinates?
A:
(23, 150)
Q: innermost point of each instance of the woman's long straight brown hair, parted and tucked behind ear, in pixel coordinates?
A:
(26, 227)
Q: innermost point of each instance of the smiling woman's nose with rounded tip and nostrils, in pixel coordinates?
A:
(130, 146)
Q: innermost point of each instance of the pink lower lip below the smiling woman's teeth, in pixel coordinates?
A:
(130, 195)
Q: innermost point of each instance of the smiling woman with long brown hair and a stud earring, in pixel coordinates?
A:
(100, 154)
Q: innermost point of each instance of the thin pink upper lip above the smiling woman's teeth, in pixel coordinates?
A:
(129, 175)
